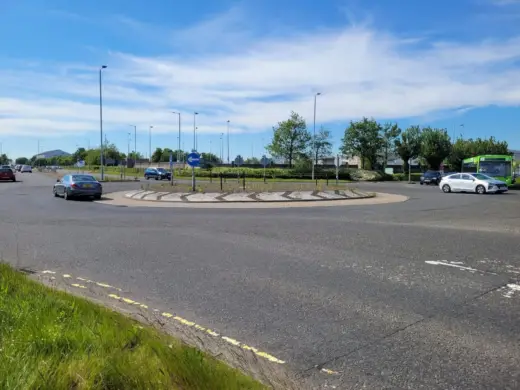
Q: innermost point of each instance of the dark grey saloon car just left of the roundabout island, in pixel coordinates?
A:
(78, 186)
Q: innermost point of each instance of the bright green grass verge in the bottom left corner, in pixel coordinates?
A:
(52, 340)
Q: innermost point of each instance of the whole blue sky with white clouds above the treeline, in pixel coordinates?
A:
(448, 64)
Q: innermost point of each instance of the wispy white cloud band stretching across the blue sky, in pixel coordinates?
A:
(359, 70)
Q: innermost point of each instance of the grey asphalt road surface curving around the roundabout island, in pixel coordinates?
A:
(348, 289)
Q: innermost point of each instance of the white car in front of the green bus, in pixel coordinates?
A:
(472, 182)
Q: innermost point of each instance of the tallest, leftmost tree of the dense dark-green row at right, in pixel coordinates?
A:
(363, 139)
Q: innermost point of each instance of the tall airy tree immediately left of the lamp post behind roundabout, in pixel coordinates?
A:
(290, 139)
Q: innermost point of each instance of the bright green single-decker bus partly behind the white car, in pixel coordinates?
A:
(498, 166)
